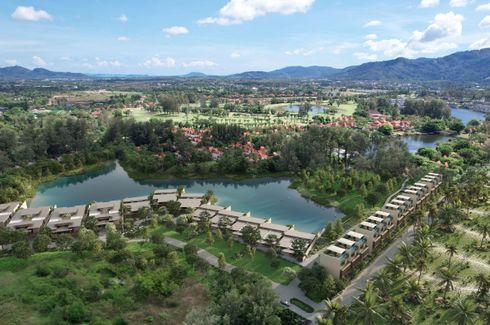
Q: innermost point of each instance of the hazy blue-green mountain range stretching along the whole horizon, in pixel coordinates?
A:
(468, 66)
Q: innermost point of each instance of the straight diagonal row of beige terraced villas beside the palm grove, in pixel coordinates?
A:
(345, 252)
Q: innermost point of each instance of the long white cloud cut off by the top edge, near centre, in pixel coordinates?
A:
(239, 11)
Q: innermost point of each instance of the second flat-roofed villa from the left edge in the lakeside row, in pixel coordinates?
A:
(29, 220)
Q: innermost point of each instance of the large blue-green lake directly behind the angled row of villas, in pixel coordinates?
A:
(270, 198)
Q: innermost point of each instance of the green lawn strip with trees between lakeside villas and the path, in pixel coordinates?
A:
(260, 263)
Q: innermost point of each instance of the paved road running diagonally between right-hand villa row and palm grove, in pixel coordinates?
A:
(359, 283)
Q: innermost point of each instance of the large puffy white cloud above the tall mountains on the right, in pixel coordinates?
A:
(439, 36)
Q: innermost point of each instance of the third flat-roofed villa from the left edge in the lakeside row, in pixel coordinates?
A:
(66, 220)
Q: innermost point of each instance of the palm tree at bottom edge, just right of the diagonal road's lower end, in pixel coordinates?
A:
(367, 309)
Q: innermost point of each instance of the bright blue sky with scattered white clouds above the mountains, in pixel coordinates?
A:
(172, 37)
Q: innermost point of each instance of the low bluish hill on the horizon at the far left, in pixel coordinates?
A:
(17, 72)
